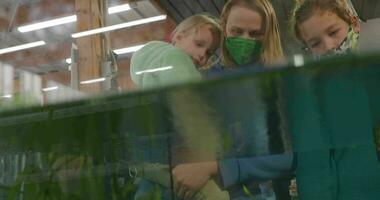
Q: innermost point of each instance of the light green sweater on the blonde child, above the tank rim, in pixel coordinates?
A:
(176, 66)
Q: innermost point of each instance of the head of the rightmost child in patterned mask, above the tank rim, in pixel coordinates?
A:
(326, 26)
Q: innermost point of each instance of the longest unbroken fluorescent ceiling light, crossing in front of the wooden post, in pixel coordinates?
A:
(119, 26)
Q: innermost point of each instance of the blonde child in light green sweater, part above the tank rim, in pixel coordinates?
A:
(193, 43)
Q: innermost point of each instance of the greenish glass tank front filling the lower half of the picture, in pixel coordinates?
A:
(123, 146)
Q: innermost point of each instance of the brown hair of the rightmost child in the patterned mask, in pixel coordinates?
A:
(305, 9)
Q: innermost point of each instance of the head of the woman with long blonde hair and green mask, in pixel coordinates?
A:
(251, 33)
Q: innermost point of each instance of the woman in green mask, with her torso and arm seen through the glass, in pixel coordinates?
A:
(250, 35)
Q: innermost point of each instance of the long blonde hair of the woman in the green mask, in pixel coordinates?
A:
(272, 50)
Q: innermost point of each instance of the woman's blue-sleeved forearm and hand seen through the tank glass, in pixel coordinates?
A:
(194, 176)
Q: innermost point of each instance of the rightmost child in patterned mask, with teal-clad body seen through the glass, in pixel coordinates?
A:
(330, 27)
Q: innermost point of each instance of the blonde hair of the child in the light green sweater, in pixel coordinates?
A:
(194, 22)
